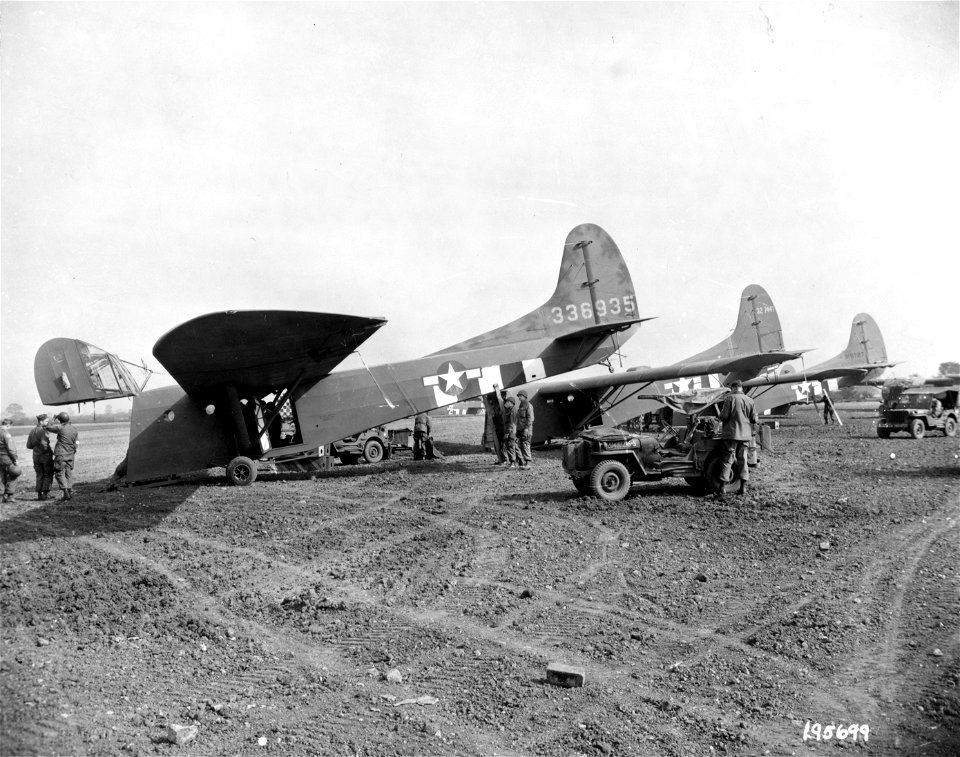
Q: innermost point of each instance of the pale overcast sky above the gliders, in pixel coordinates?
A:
(425, 162)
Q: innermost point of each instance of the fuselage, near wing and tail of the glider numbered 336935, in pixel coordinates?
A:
(260, 386)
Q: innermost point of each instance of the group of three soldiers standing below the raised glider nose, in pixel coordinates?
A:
(49, 461)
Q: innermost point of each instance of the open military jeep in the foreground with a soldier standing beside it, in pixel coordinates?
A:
(605, 462)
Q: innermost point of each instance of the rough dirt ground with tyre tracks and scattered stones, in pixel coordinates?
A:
(413, 608)
